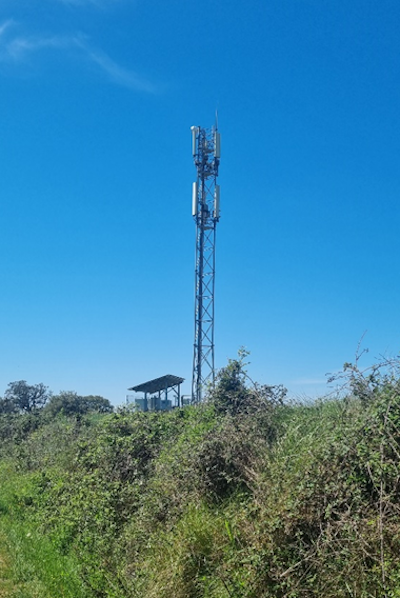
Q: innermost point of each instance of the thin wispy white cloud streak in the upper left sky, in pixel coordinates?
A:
(19, 48)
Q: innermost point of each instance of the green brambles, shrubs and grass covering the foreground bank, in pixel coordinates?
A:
(245, 496)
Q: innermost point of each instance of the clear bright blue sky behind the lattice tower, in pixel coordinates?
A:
(97, 242)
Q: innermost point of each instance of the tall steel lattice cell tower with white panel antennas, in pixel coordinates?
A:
(206, 146)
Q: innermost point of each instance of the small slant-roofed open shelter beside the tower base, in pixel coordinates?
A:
(167, 390)
